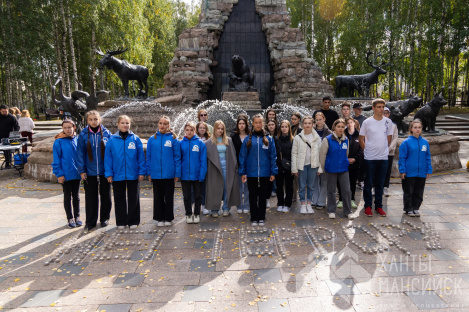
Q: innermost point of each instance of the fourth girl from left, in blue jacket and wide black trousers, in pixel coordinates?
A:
(163, 170)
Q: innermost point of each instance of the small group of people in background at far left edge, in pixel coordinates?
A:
(12, 119)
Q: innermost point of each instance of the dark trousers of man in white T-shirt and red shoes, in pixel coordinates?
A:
(375, 175)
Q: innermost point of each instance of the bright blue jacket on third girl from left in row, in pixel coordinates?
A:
(124, 159)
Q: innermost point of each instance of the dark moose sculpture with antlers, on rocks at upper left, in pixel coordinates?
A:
(125, 71)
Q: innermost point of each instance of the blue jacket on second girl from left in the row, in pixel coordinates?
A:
(95, 166)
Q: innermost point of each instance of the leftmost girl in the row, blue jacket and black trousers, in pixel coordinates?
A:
(65, 168)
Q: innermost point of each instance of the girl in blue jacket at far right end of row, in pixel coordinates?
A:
(415, 166)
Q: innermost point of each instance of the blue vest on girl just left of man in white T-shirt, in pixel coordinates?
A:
(337, 154)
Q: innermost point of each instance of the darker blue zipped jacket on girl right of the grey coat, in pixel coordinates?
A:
(259, 160)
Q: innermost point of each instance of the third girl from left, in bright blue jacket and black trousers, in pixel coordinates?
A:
(124, 167)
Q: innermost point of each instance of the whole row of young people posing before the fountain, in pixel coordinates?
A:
(312, 155)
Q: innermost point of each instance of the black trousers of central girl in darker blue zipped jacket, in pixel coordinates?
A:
(258, 187)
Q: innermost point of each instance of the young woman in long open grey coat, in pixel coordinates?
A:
(222, 172)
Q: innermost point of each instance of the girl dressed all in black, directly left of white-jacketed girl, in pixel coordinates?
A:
(283, 145)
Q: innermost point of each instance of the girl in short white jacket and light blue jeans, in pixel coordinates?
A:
(305, 162)
